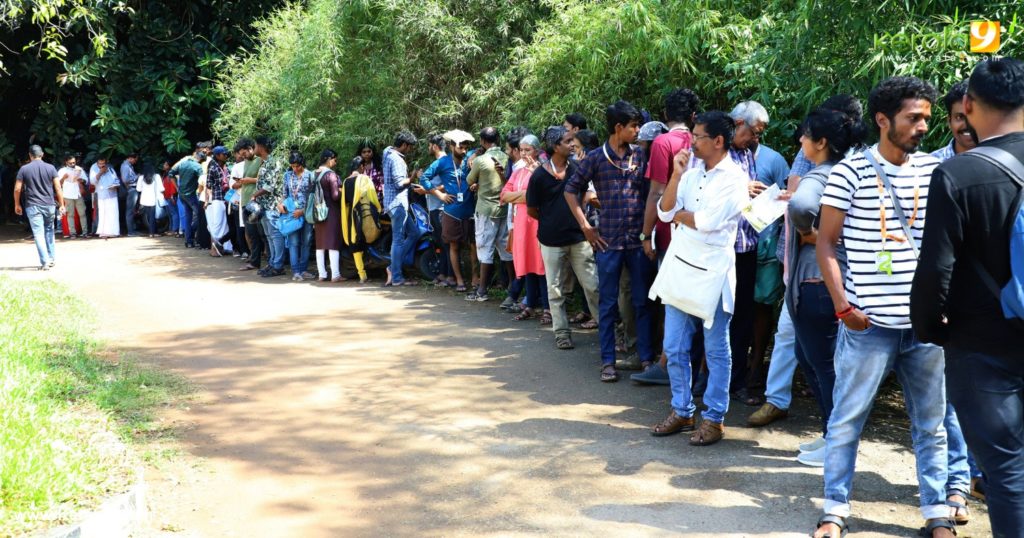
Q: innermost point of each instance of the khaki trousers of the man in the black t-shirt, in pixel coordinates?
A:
(560, 264)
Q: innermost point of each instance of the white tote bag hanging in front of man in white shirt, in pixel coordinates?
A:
(693, 276)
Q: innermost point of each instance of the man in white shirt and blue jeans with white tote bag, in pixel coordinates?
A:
(698, 279)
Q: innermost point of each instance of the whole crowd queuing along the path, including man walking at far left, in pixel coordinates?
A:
(655, 231)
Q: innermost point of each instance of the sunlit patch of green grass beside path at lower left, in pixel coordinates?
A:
(67, 407)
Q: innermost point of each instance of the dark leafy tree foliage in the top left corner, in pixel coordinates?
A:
(120, 79)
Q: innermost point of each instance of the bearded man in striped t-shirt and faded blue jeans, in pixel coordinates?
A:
(876, 202)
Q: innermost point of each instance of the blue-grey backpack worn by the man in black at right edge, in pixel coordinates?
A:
(1011, 297)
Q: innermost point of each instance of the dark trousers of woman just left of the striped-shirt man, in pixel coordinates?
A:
(817, 330)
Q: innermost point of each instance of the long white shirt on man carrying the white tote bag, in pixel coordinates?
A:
(717, 198)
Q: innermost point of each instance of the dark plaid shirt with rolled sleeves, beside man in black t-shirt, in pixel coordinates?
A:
(623, 193)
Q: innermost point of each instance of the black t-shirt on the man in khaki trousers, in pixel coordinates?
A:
(558, 226)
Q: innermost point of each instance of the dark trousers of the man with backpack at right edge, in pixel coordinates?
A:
(989, 395)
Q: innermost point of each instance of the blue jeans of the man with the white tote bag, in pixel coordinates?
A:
(679, 332)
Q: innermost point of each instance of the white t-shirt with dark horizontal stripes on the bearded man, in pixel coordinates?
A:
(854, 187)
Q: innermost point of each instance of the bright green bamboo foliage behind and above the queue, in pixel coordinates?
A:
(330, 74)
